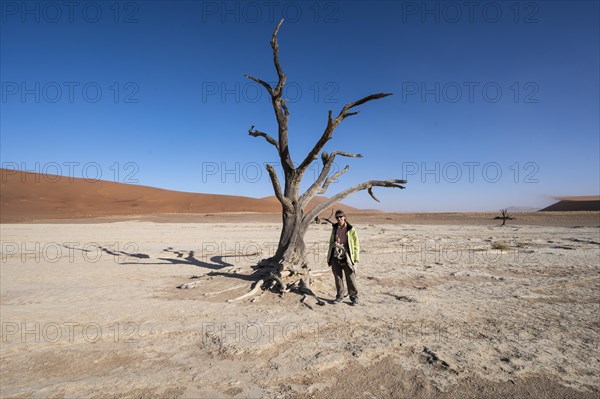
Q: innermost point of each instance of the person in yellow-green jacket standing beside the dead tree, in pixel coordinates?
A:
(343, 257)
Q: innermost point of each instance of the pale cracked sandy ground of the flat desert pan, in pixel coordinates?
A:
(441, 314)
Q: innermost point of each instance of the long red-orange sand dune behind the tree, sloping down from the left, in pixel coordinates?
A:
(26, 196)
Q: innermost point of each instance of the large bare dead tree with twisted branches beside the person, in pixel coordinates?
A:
(290, 257)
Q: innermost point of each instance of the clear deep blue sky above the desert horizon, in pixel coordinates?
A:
(496, 104)
